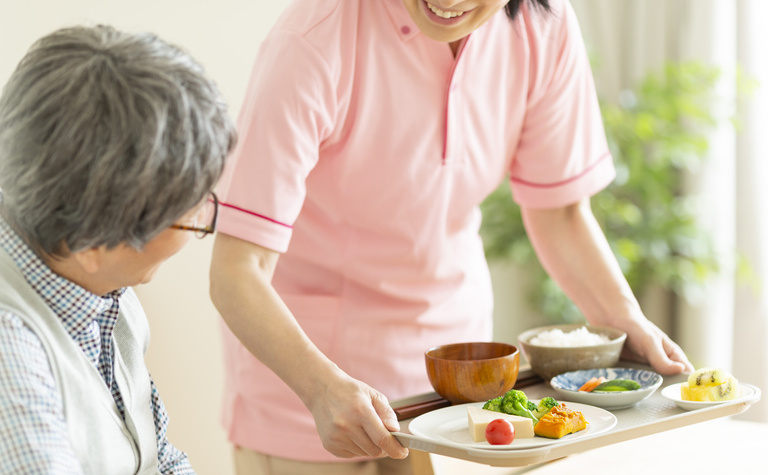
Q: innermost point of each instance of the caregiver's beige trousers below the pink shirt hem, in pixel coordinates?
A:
(248, 462)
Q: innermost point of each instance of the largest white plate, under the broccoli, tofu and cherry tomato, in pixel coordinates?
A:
(450, 424)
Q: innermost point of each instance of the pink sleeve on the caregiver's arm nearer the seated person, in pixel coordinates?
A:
(288, 111)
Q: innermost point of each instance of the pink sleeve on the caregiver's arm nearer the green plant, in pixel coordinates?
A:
(562, 155)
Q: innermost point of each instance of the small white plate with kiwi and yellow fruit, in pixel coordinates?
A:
(707, 387)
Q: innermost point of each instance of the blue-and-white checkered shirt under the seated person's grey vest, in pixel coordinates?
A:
(33, 432)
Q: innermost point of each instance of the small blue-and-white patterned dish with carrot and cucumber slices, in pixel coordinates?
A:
(567, 386)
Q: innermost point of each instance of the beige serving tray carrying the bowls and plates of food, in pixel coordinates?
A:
(653, 415)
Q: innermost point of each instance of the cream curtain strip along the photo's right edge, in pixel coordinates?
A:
(751, 305)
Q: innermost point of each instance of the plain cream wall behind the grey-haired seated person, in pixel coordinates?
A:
(184, 357)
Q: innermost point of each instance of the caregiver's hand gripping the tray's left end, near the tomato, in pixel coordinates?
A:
(355, 420)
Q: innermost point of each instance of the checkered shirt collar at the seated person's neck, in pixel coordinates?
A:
(75, 306)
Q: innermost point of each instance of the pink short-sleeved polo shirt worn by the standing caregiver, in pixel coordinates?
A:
(365, 149)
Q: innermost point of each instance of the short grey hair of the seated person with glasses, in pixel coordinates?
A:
(106, 138)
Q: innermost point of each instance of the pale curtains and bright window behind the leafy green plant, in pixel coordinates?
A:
(630, 38)
